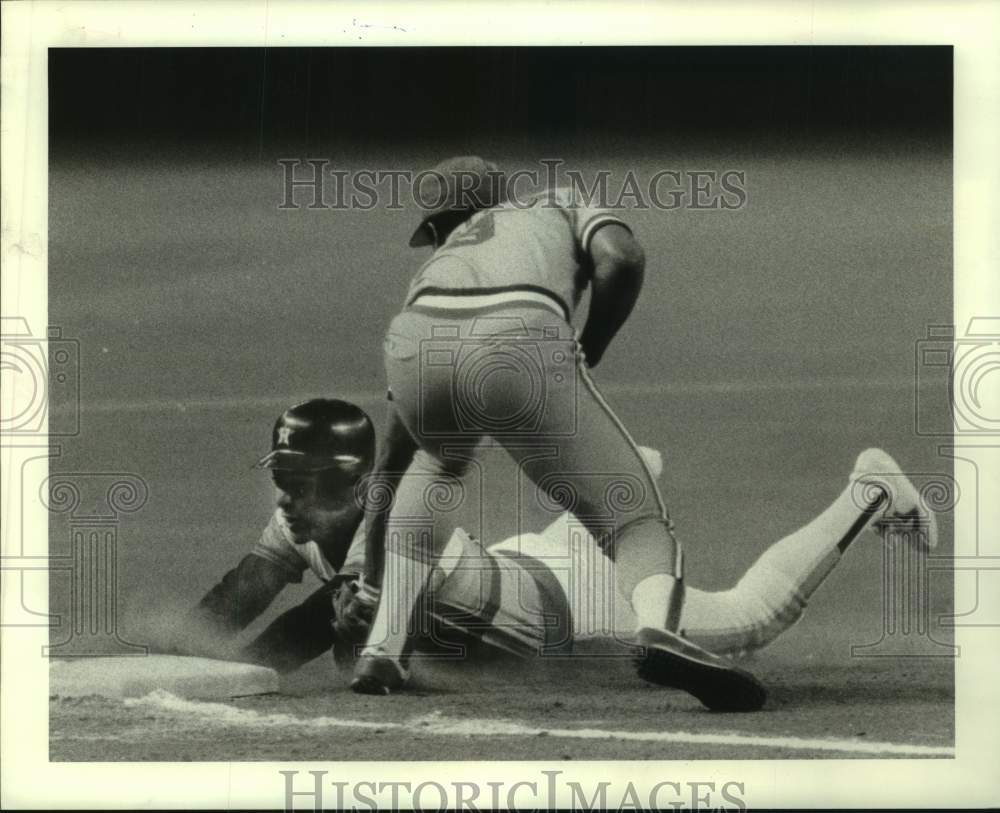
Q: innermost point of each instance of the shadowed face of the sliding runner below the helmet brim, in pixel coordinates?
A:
(312, 511)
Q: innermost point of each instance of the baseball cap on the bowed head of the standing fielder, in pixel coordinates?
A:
(466, 183)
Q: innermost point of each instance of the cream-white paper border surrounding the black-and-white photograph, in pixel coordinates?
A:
(29, 28)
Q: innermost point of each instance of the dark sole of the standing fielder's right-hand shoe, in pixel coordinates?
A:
(719, 687)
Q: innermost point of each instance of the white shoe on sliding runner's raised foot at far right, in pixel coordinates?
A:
(880, 487)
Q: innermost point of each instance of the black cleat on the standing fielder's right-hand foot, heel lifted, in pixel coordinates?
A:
(670, 660)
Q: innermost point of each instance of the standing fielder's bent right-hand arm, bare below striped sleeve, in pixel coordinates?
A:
(619, 266)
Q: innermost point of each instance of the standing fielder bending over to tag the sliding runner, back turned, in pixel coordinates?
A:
(484, 347)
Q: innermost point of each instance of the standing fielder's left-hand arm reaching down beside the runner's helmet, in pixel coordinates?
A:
(397, 454)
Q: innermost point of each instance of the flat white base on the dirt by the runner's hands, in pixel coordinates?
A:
(198, 678)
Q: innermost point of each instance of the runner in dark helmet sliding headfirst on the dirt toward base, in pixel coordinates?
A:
(522, 594)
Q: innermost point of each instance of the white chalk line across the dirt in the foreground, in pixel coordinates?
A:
(223, 715)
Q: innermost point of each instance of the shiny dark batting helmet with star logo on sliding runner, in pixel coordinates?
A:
(319, 435)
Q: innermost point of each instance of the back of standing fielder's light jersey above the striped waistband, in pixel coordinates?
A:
(538, 244)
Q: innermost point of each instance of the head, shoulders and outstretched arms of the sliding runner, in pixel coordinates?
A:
(320, 449)
